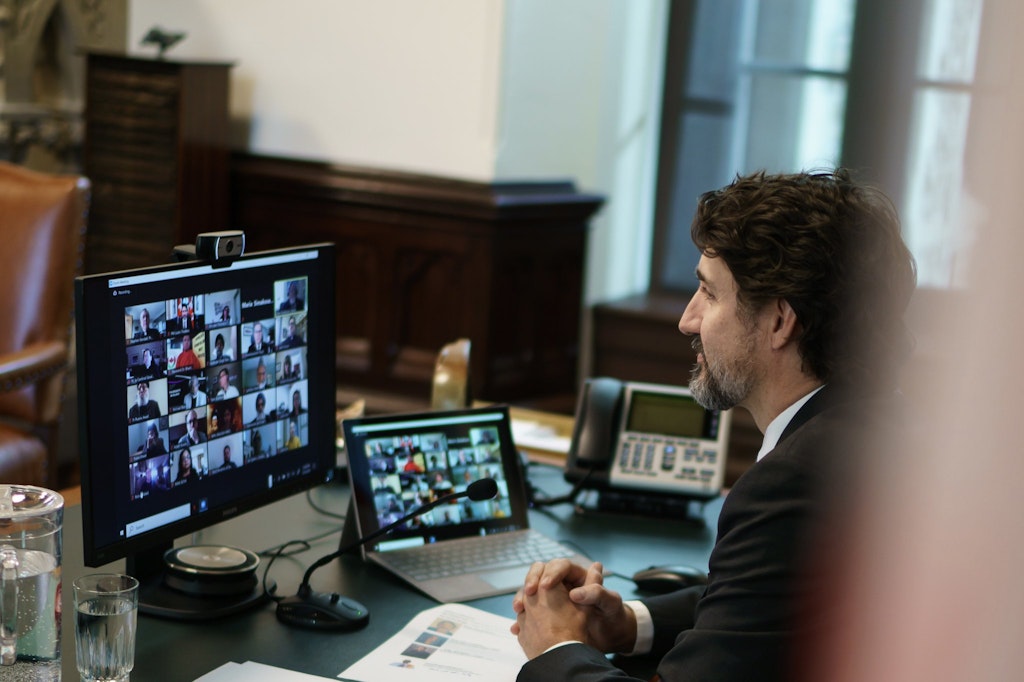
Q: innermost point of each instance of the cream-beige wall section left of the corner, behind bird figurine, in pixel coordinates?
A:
(404, 86)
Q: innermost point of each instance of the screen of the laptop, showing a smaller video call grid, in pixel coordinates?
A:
(398, 463)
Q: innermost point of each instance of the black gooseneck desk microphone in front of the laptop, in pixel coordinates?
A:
(323, 611)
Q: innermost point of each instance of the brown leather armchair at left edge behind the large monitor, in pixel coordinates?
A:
(42, 228)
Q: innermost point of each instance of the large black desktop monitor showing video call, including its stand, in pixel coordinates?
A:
(204, 391)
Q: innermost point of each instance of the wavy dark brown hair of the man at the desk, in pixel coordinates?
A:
(829, 246)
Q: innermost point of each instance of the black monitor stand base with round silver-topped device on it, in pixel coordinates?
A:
(197, 582)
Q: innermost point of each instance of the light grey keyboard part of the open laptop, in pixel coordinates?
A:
(458, 558)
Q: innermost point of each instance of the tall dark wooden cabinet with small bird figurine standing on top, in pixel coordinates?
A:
(156, 150)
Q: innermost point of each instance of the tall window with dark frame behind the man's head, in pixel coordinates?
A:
(787, 86)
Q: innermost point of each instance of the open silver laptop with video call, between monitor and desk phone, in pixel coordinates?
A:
(462, 549)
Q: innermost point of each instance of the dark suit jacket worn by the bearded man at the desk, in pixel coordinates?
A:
(744, 625)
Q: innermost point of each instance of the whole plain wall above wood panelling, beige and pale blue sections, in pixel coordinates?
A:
(476, 90)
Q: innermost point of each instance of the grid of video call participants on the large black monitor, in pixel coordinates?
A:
(215, 381)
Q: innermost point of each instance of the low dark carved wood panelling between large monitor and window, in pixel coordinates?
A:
(424, 261)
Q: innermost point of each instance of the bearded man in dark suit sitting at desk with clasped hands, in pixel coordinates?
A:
(798, 319)
